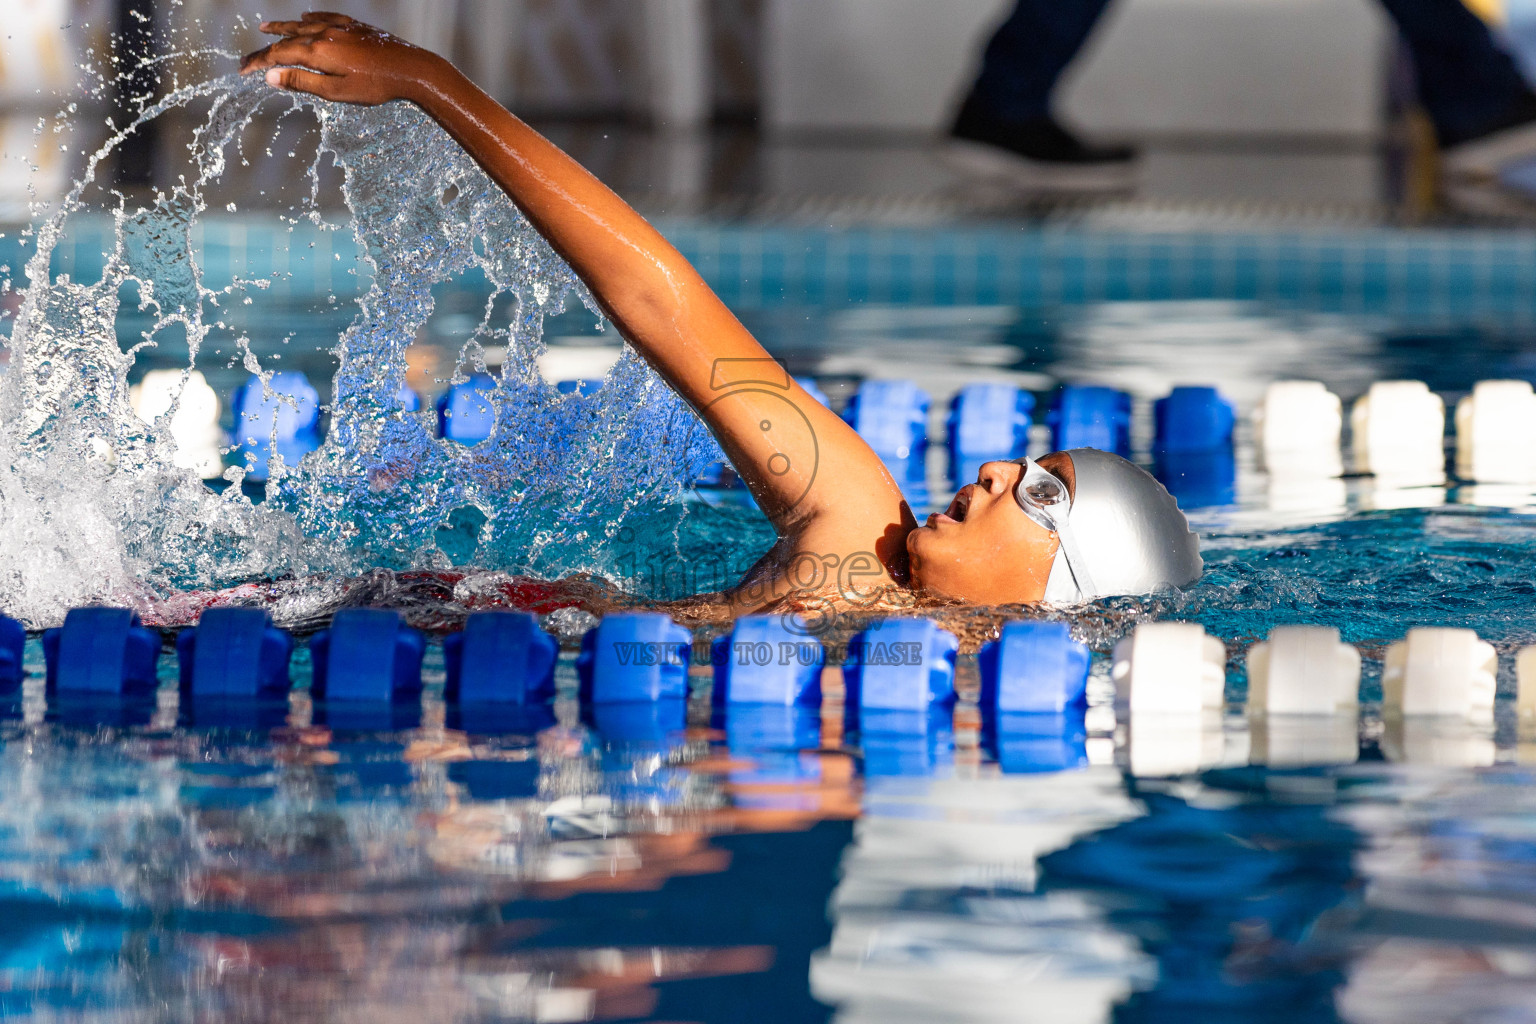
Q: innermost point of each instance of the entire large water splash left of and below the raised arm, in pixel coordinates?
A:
(90, 498)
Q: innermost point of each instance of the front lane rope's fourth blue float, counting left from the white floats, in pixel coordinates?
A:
(635, 656)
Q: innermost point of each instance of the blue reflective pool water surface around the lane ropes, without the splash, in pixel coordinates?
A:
(250, 864)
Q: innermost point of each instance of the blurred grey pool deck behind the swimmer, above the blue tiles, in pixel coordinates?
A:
(740, 174)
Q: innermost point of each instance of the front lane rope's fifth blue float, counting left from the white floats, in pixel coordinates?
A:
(500, 658)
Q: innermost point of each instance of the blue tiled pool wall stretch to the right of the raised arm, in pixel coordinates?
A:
(1372, 271)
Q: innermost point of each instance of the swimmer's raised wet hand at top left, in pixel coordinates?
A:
(336, 58)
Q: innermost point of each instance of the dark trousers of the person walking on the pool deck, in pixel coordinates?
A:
(1466, 82)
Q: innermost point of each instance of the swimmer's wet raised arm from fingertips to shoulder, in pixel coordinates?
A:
(806, 467)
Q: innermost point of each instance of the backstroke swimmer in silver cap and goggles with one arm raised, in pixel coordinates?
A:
(1067, 529)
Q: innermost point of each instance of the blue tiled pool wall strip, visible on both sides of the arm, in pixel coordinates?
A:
(1408, 273)
